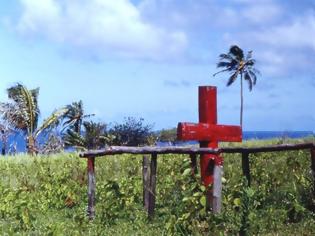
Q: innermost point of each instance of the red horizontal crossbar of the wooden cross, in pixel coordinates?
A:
(208, 132)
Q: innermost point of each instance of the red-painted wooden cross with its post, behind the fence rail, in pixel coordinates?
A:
(209, 133)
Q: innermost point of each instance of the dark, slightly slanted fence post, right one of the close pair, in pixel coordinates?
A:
(153, 168)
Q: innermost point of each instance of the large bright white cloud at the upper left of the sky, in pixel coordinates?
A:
(105, 26)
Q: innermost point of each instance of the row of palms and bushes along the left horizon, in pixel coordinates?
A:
(66, 127)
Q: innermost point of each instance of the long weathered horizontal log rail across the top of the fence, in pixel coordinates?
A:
(114, 150)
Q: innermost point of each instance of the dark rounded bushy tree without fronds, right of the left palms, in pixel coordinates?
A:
(132, 132)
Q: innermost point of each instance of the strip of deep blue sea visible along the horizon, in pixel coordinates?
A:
(18, 139)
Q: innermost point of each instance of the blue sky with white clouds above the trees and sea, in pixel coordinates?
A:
(146, 58)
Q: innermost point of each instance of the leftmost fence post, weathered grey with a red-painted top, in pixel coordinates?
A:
(91, 188)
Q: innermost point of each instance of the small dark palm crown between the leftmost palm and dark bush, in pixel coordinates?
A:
(75, 116)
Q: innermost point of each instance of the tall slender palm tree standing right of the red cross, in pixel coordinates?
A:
(237, 65)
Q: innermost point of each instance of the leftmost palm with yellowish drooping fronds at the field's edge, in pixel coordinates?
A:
(22, 113)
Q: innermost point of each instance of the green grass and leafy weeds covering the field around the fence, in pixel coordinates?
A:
(47, 195)
